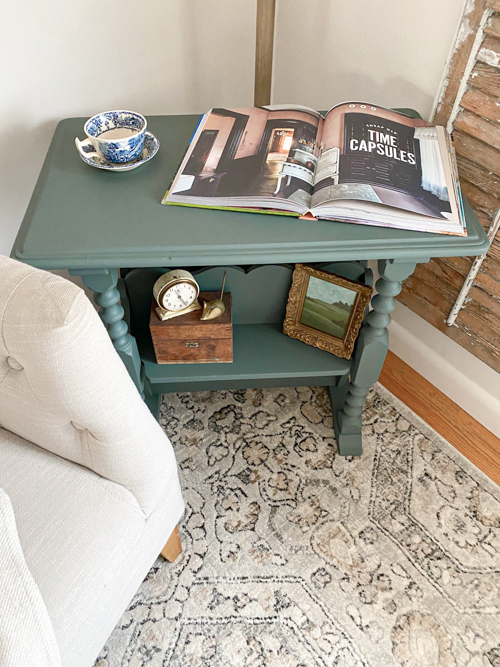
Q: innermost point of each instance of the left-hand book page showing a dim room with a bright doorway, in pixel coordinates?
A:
(258, 156)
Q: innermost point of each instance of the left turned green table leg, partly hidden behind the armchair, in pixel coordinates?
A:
(103, 283)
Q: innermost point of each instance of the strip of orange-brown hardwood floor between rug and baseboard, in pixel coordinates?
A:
(455, 425)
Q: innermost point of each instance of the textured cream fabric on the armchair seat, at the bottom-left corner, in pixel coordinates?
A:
(26, 633)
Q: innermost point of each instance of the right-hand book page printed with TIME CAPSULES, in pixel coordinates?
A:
(377, 155)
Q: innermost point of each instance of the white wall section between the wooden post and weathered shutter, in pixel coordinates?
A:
(388, 52)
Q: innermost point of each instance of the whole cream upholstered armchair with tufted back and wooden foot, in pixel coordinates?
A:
(89, 478)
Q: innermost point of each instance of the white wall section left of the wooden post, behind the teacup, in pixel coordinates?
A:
(79, 57)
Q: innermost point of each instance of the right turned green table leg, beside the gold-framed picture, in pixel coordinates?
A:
(369, 355)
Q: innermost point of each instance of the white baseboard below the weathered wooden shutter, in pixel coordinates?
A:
(469, 382)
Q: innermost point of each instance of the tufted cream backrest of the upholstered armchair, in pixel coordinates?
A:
(64, 387)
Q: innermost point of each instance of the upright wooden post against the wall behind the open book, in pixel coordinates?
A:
(266, 10)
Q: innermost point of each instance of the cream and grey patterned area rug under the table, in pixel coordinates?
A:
(296, 557)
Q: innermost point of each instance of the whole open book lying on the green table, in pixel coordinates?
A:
(360, 163)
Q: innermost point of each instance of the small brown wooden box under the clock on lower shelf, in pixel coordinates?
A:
(188, 340)
